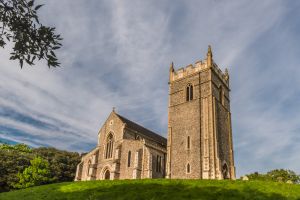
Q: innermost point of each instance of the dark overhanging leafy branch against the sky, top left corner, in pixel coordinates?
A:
(19, 24)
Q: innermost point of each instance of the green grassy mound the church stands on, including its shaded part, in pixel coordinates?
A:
(159, 189)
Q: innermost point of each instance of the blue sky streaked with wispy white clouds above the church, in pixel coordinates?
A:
(117, 53)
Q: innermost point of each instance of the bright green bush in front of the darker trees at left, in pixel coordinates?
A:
(37, 173)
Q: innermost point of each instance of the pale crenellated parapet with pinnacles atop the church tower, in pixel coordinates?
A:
(199, 66)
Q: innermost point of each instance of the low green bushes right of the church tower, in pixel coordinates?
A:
(277, 175)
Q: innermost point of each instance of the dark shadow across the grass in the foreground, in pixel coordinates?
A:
(169, 192)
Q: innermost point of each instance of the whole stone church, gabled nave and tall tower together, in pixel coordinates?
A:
(199, 143)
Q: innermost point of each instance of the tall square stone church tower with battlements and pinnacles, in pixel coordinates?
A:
(199, 125)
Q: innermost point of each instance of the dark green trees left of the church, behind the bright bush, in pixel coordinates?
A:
(15, 158)
